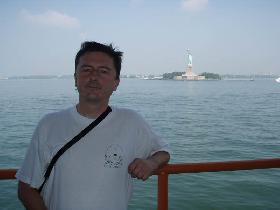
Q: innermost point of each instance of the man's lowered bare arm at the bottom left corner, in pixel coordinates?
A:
(30, 197)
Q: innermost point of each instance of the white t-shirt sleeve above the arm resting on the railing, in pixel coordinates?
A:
(148, 142)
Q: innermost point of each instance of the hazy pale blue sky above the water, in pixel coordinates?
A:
(42, 37)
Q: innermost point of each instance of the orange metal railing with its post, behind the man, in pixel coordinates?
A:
(187, 168)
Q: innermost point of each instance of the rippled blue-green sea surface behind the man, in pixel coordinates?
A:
(203, 121)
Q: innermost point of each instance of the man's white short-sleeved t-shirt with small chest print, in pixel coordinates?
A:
(93, 173)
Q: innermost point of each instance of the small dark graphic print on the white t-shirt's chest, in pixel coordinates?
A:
(113, 156)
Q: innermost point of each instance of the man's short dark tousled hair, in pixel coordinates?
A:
(113, 52)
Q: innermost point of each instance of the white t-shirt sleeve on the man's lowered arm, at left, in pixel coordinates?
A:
(32, 169)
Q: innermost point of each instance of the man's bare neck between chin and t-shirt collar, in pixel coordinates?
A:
(91, 110)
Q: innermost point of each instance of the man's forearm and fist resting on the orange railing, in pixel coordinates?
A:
(144, 168)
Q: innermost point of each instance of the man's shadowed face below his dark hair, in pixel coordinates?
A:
(95, 77)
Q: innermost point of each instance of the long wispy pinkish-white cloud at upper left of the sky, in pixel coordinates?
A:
(51, 18)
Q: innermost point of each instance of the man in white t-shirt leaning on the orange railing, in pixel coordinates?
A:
(95, 173)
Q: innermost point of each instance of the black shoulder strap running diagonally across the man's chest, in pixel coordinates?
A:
(72, 142)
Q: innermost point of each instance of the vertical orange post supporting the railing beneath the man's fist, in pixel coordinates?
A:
(163, 191)
